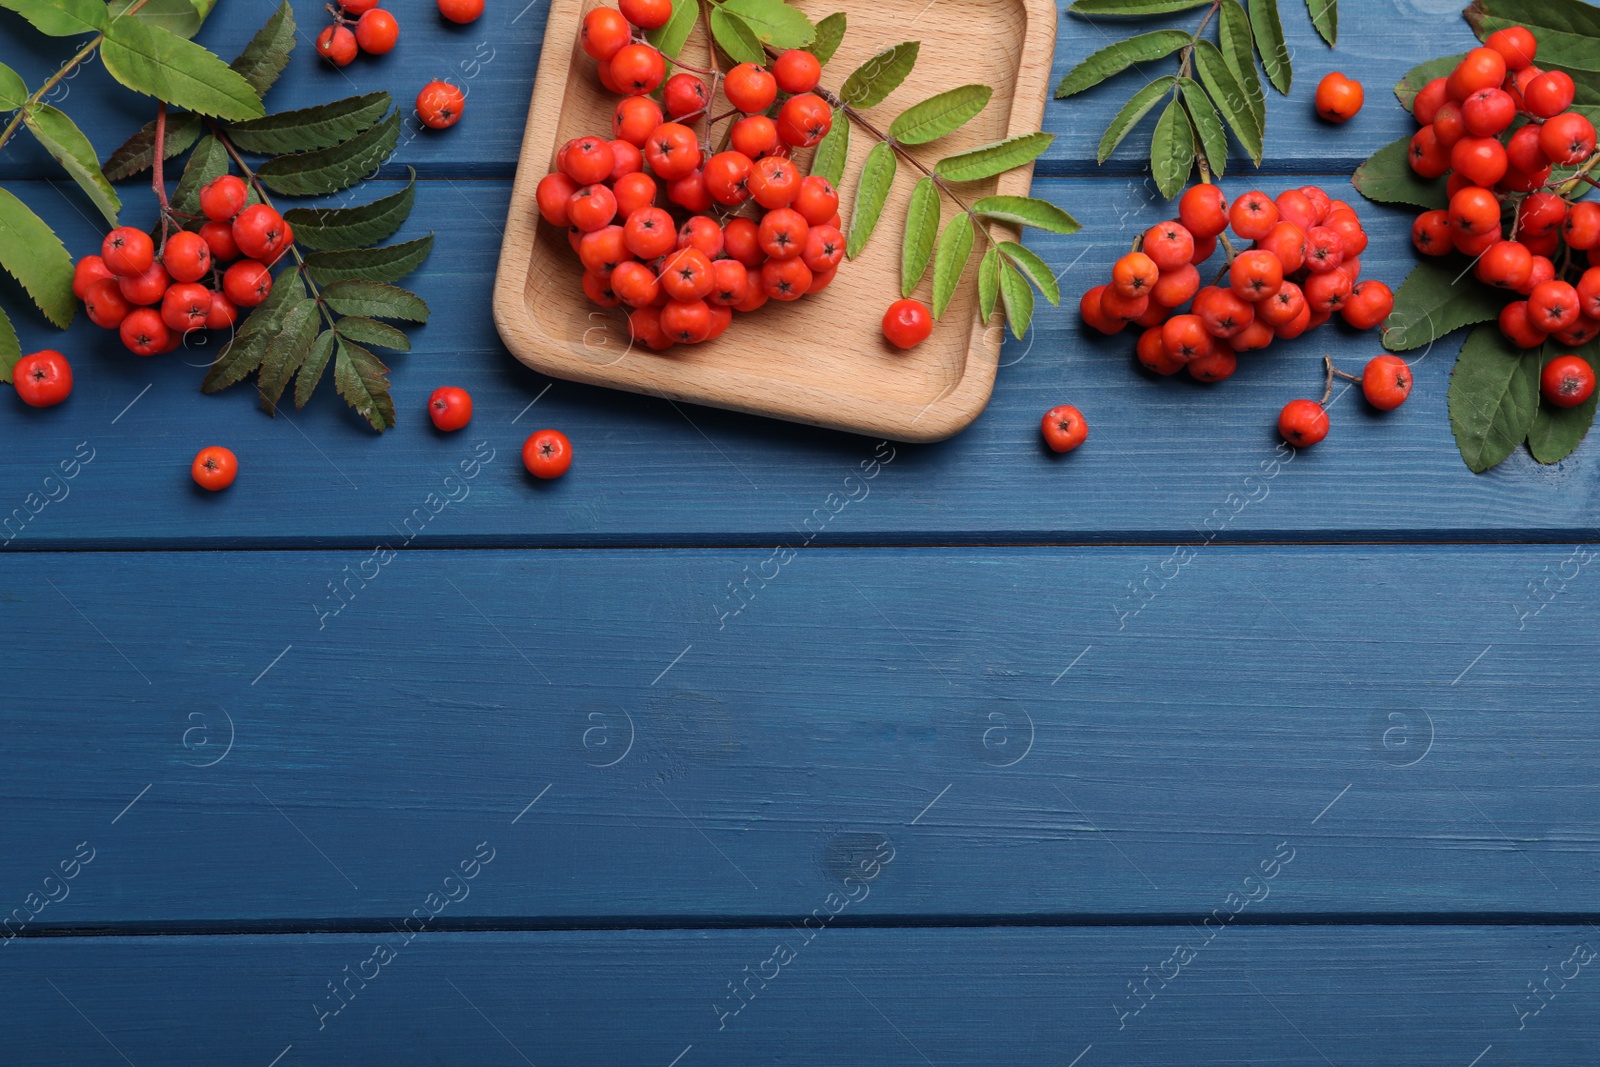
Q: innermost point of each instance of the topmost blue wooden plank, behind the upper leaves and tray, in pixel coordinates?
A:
(495, 60)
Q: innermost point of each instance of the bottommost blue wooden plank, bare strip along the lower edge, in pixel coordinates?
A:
(1300, 997)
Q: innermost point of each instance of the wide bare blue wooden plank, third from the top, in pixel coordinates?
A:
(303, 738)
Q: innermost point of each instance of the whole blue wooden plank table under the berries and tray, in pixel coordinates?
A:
(750, 743)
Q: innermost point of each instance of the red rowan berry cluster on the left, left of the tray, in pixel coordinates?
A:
(153, 297)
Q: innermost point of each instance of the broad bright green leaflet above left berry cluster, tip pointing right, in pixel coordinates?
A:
(158, 63)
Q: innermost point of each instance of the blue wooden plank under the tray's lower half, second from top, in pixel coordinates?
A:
(1166, 457)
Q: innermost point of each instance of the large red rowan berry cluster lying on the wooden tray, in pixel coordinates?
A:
(684, 278)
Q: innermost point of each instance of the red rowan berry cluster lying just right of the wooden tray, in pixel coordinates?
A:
(1302, 268)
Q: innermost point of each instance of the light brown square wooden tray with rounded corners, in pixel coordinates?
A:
(822, 361)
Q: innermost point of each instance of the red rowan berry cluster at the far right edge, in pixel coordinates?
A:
(1506, 212)
